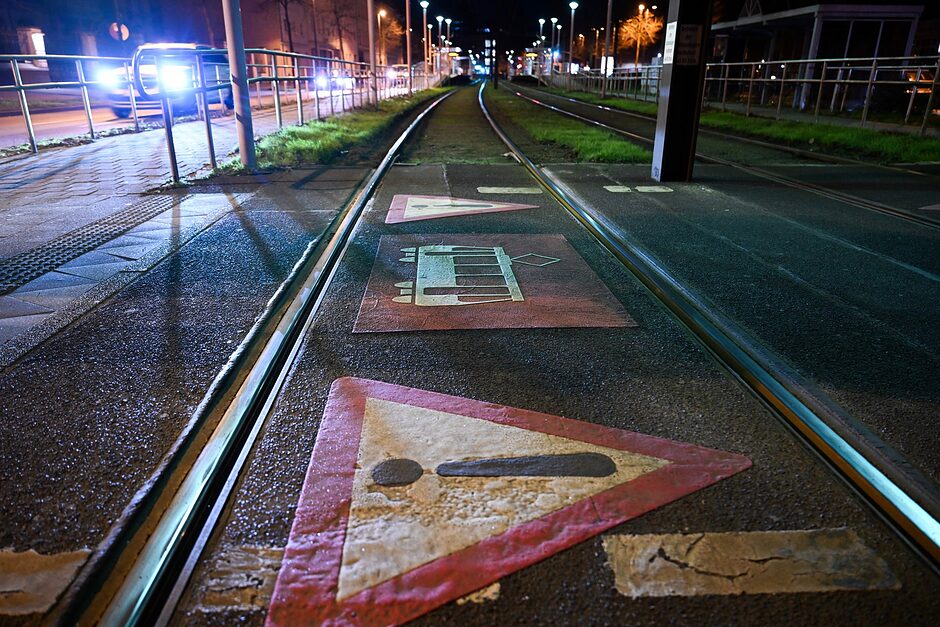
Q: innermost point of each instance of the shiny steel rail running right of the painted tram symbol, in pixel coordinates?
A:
(785, 395)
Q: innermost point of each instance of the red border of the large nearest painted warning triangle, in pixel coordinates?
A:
(307, 587)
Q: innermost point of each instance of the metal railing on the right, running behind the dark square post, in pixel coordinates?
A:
(898, 87)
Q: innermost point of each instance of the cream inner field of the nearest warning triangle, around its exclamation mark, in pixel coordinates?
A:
(393, 530)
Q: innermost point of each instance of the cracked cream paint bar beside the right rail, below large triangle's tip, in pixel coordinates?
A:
(761, 562)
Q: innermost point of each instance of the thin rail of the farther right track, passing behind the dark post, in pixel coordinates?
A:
(819, 190)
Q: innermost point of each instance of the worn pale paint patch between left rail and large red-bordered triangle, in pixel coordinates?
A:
(240, 578)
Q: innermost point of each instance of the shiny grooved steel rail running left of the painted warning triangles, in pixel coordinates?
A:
(243, 393)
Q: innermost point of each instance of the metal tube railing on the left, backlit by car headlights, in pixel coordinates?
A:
(182, 80)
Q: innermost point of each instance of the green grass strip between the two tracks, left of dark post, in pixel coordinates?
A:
(588, 144)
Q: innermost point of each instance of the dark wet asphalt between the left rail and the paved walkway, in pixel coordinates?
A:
(90, 413)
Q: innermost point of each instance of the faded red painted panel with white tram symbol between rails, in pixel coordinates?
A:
(483, 282)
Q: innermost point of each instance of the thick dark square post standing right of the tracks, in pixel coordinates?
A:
(681, 90)
